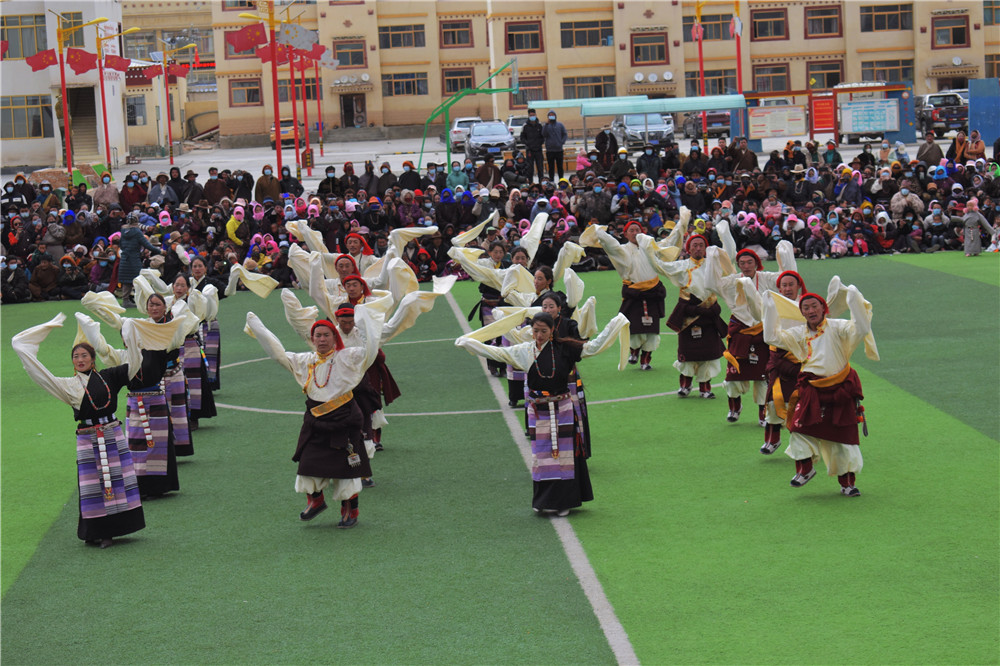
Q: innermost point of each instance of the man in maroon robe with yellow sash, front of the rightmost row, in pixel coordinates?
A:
(825, 407)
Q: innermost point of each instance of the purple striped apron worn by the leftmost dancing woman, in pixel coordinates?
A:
(106, 475)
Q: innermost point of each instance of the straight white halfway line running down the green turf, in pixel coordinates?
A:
(610, 624)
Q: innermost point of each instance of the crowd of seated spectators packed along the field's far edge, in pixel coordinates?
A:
(58, 245)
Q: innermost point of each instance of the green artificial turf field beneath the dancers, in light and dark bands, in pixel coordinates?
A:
(705, 552)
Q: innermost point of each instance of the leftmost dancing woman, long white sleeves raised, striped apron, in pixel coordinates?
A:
(109, 493)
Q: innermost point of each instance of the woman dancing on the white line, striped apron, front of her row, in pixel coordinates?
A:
(559, 466)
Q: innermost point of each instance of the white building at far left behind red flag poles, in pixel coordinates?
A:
(31, 115)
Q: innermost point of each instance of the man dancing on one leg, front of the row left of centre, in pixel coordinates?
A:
(330, 452)
